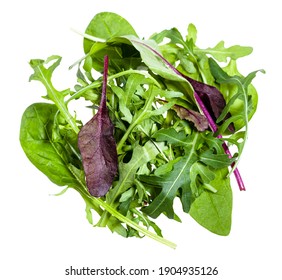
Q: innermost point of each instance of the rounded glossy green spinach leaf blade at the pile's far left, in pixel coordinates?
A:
(47, 154)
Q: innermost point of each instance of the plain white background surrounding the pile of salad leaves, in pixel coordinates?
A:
(41, 235)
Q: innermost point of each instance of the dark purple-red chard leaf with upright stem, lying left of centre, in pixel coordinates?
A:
(98, 147)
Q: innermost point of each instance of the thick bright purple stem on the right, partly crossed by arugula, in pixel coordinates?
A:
(213, 127)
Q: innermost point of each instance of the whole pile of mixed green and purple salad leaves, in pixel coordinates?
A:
(165, 116)
